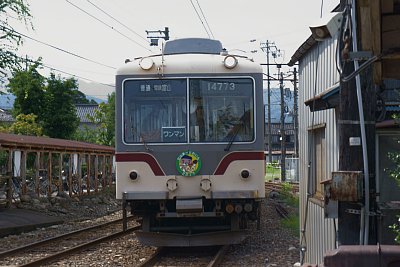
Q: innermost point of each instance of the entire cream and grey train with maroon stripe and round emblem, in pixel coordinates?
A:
(189, 144)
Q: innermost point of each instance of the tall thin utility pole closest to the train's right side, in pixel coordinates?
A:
(269, 47)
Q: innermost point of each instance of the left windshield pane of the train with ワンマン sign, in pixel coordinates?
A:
(154, 111)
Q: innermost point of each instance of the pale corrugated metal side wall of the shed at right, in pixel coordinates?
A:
(317, 72)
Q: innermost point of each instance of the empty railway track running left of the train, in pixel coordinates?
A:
(51, 249)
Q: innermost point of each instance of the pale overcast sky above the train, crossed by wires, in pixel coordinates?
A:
(103, 33)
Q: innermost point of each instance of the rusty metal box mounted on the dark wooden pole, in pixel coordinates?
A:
(344, 186)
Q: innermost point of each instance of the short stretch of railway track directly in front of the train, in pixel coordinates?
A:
(201, 256)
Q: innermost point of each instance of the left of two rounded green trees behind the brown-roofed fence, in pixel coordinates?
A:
(28, 88)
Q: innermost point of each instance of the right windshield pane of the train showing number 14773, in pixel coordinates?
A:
(221, 110)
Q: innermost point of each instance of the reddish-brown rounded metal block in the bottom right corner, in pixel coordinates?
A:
(350, 256)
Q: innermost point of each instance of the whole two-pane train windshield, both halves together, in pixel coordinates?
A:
(220, 110)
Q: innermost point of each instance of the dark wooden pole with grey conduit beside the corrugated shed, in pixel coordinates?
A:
(355, 112)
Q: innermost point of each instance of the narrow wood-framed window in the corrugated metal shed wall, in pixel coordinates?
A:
(318, 161)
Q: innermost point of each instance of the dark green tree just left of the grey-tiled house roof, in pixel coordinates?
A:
(59, 119)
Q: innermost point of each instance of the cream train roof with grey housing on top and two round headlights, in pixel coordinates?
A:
(190, 55)
